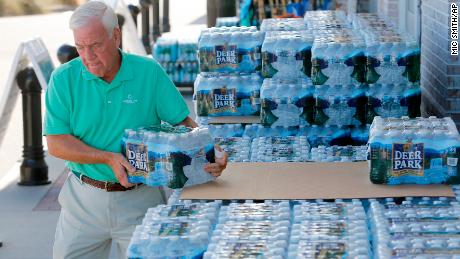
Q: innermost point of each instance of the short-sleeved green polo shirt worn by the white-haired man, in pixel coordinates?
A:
(96, 112)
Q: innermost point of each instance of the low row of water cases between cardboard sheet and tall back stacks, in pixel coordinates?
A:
(257, 143)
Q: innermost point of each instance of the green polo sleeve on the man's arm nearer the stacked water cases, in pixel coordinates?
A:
(170, 104)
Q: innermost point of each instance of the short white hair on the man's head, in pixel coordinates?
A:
(94, 10)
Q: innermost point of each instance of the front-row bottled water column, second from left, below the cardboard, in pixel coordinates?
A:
(251, 230)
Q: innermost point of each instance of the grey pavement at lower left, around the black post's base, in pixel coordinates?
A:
(28, 215)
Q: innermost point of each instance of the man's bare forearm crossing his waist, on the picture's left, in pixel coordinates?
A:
(70, 148)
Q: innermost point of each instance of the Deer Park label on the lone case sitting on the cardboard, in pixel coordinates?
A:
(407, 159)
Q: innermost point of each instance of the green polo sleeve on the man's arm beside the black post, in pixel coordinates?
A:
(57, 101)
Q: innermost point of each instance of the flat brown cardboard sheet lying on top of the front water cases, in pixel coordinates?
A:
(262, 181)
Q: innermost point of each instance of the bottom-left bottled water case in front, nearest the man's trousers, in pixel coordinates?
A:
(167, 238)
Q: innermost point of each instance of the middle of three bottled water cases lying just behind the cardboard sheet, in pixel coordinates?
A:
(280, 149)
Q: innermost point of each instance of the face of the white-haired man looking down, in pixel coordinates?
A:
(96, 49)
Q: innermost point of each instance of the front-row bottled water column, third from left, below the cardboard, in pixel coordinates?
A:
(329, 230)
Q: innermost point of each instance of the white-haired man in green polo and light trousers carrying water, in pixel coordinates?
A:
(90, 101)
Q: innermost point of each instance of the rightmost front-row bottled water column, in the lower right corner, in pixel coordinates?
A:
(417, 228)
